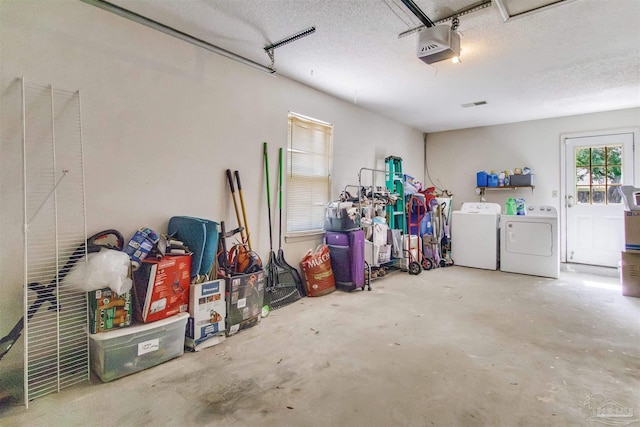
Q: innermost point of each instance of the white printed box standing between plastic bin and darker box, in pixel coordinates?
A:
(207, 312)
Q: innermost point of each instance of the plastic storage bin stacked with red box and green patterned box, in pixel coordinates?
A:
(158, 302)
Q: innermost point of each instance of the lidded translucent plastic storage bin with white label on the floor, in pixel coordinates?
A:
(121, 352)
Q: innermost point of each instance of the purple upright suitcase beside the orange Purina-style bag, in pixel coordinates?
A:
(347, 258)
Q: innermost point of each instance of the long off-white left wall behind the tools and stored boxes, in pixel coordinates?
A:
(162, 121)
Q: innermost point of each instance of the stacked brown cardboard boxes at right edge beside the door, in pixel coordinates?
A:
(630, 263)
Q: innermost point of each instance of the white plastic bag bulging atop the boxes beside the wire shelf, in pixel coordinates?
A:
(105, 269)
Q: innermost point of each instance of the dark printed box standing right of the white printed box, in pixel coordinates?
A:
(244, 297)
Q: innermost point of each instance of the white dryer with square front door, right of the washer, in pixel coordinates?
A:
(529, 244)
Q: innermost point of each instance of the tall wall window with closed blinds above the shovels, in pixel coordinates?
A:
(308, 174)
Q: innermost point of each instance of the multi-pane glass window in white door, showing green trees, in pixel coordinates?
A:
(598, 174)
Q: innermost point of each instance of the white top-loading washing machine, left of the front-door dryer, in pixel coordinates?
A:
(475, 235)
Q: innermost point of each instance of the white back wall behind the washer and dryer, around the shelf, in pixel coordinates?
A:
(454, 157)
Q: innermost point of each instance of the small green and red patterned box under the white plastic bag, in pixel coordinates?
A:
(109, 310)
